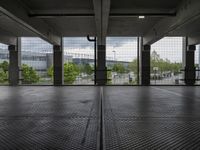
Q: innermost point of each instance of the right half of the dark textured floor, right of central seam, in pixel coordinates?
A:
(152, 118)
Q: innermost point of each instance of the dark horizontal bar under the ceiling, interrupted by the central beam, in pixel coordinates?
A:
(113, 13)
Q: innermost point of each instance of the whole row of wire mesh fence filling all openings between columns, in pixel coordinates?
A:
(121, 61)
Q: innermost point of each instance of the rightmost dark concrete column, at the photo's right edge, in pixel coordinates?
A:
(190, 73)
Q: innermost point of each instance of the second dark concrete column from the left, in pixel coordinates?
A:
(58, 65)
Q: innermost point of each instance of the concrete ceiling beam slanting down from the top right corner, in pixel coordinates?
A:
(187, 12)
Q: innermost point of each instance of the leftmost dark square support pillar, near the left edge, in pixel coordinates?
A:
(13, 65)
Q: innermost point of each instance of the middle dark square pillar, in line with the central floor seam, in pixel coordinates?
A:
(101, 72)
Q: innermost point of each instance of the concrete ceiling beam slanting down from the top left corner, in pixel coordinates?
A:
(19, 13)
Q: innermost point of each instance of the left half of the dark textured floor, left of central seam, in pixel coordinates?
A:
(48, 118)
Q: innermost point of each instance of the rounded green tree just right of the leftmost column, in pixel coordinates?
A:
(29, 74)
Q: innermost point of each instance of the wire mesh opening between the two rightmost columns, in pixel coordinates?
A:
(166, 61)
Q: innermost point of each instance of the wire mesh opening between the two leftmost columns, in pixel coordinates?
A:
(36, 61)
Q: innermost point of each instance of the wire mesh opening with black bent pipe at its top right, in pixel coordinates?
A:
(78, 61)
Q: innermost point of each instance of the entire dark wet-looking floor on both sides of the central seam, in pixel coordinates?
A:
(47, 117)
